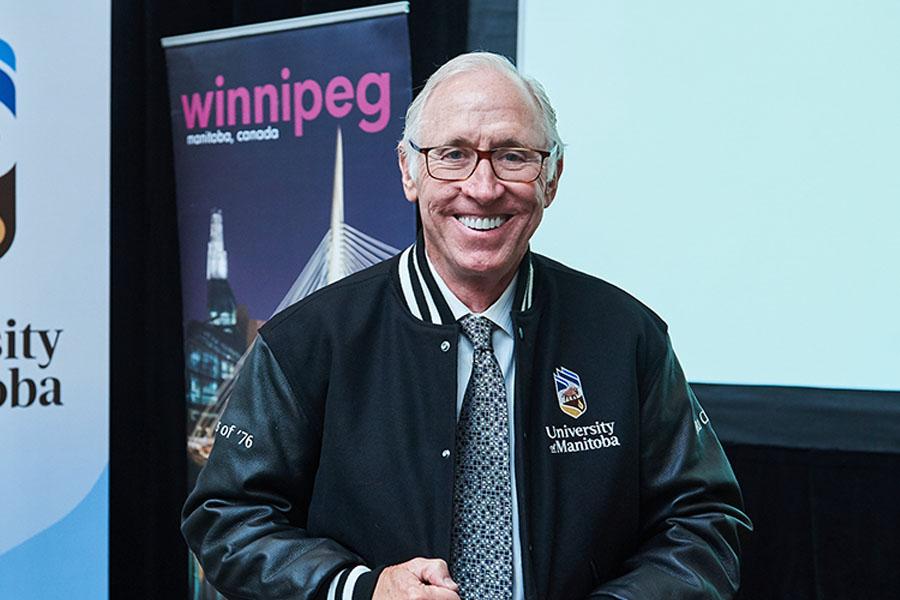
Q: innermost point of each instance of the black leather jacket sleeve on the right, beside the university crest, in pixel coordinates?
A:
(691, 507)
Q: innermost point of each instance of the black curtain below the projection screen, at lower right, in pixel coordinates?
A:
(825, 523)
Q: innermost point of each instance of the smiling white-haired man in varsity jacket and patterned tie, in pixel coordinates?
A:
(469, 420)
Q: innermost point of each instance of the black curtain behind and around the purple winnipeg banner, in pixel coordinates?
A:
(148, 558)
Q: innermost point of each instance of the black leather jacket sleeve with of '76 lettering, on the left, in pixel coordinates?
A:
(245, 519)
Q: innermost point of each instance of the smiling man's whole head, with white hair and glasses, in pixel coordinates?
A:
(478, 209)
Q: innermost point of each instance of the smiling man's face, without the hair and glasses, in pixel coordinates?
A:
(482, 110)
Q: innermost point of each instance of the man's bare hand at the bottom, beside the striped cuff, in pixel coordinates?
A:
(416, 579)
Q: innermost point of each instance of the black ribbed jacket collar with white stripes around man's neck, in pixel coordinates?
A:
(424, 298)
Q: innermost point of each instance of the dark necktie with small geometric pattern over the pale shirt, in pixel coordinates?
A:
(481, 539)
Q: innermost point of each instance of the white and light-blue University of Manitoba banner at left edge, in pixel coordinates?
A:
(54, 298)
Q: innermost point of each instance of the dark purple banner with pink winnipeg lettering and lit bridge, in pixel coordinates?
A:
(286, 174)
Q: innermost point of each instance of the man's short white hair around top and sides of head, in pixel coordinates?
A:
(469, 63)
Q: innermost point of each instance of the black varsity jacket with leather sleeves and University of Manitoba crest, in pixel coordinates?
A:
(350, 398)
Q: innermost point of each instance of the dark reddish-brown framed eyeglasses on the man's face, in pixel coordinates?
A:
(457, 163)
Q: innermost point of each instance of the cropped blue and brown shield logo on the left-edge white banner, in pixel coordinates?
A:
(7, 146)
